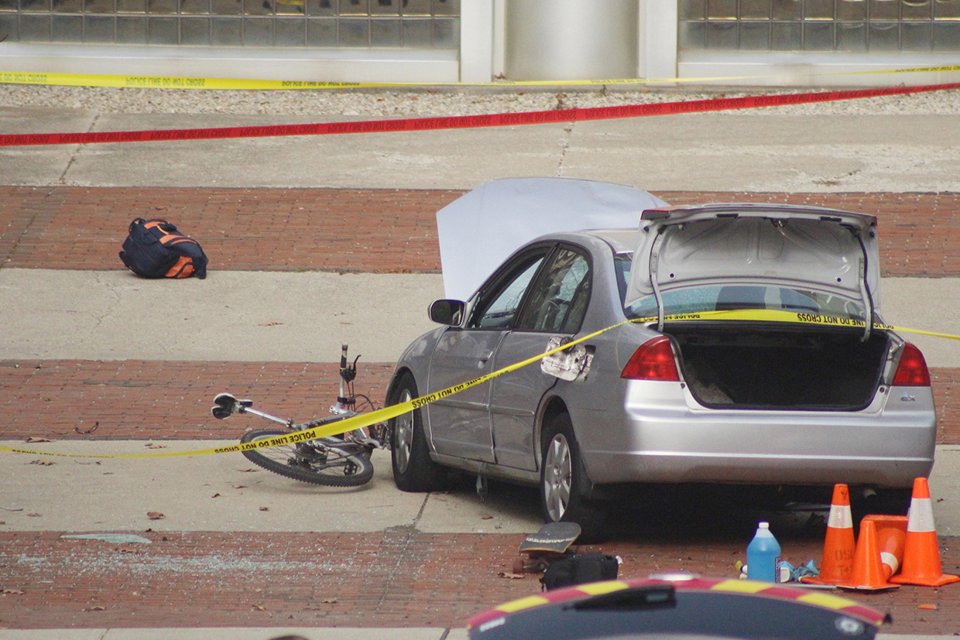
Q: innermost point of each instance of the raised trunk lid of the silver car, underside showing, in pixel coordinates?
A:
(786, 245)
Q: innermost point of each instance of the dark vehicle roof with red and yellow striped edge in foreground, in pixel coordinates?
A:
(702, 607)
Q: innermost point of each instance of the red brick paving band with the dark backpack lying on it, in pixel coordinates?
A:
(373, 230)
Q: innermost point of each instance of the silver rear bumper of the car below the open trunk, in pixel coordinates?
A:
(671, 440)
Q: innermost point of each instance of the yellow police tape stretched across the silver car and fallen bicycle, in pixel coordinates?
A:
(388, 413)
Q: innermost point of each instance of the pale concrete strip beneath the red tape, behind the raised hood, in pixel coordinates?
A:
(731, 151)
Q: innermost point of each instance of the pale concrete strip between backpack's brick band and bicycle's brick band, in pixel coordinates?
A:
(247, 316)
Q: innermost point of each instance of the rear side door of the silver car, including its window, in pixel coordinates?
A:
(554, 306)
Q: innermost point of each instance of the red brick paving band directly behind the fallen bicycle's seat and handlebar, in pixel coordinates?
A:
(141, 399)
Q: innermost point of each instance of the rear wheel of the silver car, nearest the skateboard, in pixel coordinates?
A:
(564, 486)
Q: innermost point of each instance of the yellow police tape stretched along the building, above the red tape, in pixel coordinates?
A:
(242, 84)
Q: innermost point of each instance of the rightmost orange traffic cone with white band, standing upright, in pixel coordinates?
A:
(921, 552)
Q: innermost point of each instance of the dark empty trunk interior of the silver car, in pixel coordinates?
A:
(729, 365)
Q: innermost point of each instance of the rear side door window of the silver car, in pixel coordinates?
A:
(558, 299)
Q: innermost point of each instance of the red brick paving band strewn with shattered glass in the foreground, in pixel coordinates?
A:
(399, 577)
